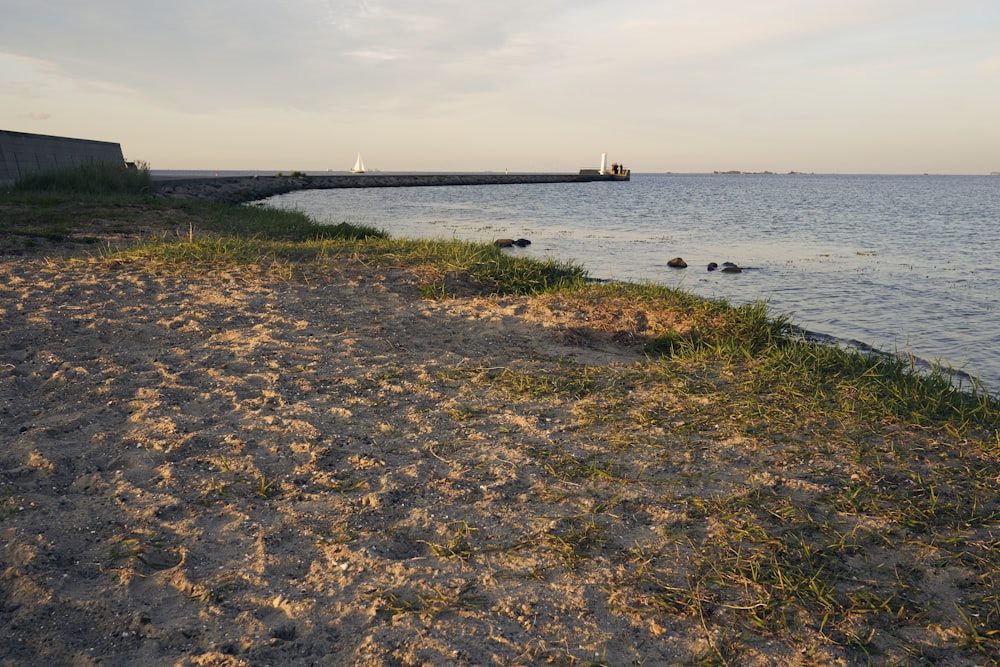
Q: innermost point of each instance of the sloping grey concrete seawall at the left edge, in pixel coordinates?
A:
(22, 153)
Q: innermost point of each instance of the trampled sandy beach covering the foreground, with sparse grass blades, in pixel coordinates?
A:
(223, 466)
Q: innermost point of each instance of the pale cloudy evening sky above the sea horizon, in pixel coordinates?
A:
(825, 86)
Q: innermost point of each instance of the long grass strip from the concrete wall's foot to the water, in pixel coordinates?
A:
(64, 207)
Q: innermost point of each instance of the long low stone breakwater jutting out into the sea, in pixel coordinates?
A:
(239, 189)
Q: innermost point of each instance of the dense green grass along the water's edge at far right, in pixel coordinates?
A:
(774, 356)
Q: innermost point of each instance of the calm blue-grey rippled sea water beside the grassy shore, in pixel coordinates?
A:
(904, 264)
